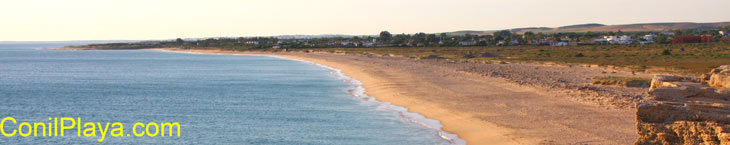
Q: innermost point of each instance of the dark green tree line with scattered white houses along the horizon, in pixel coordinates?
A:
(386, 39)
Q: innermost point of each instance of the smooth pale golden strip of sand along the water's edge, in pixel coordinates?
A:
(471, 130)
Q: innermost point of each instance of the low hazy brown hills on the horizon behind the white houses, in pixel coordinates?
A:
(594, 27)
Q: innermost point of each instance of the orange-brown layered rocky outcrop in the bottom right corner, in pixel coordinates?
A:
(687, 111)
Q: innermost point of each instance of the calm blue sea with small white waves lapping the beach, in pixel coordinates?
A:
(218, 99)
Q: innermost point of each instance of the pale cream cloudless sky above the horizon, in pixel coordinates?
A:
(60, 20)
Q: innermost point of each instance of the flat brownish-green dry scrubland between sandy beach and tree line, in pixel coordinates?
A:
(688, 59)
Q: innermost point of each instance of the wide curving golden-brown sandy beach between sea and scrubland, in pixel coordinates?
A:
(480, 109)
